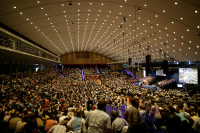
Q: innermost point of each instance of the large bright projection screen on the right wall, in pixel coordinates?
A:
(188, 75)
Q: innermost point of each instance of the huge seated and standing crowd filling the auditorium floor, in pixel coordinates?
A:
(60, 101)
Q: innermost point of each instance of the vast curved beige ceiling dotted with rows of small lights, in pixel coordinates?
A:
(119, 29)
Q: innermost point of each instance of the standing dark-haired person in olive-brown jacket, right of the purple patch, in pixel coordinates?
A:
(134, 118)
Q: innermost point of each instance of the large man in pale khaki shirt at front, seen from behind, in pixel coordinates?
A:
(98, 121)
